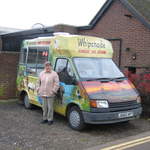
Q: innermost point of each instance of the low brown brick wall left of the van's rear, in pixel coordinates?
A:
(8, 72)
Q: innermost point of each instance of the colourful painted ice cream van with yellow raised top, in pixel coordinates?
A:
(92, 88)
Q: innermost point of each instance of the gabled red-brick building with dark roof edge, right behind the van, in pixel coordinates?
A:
(129, 22)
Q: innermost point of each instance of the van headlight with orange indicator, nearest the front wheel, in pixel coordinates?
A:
(99, 103)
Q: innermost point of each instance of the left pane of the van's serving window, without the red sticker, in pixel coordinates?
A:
(31, 61)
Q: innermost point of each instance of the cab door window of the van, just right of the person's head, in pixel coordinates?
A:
(64, 70)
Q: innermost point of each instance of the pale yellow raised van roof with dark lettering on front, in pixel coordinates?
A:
(74, 45)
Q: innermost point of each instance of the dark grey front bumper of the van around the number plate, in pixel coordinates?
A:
(110, 117)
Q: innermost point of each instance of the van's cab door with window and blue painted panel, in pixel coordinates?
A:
(67, 85)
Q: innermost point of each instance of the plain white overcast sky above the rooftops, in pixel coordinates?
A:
(24, 14)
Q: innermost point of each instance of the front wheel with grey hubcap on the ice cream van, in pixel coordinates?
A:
(75, 118)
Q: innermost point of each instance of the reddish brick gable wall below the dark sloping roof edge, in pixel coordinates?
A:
(133, 33)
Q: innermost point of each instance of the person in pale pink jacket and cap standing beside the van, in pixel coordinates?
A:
(48, 86)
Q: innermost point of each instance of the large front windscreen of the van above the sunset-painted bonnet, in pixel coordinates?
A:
(92, 68)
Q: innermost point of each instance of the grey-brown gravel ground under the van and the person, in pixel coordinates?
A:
(20, 129)
